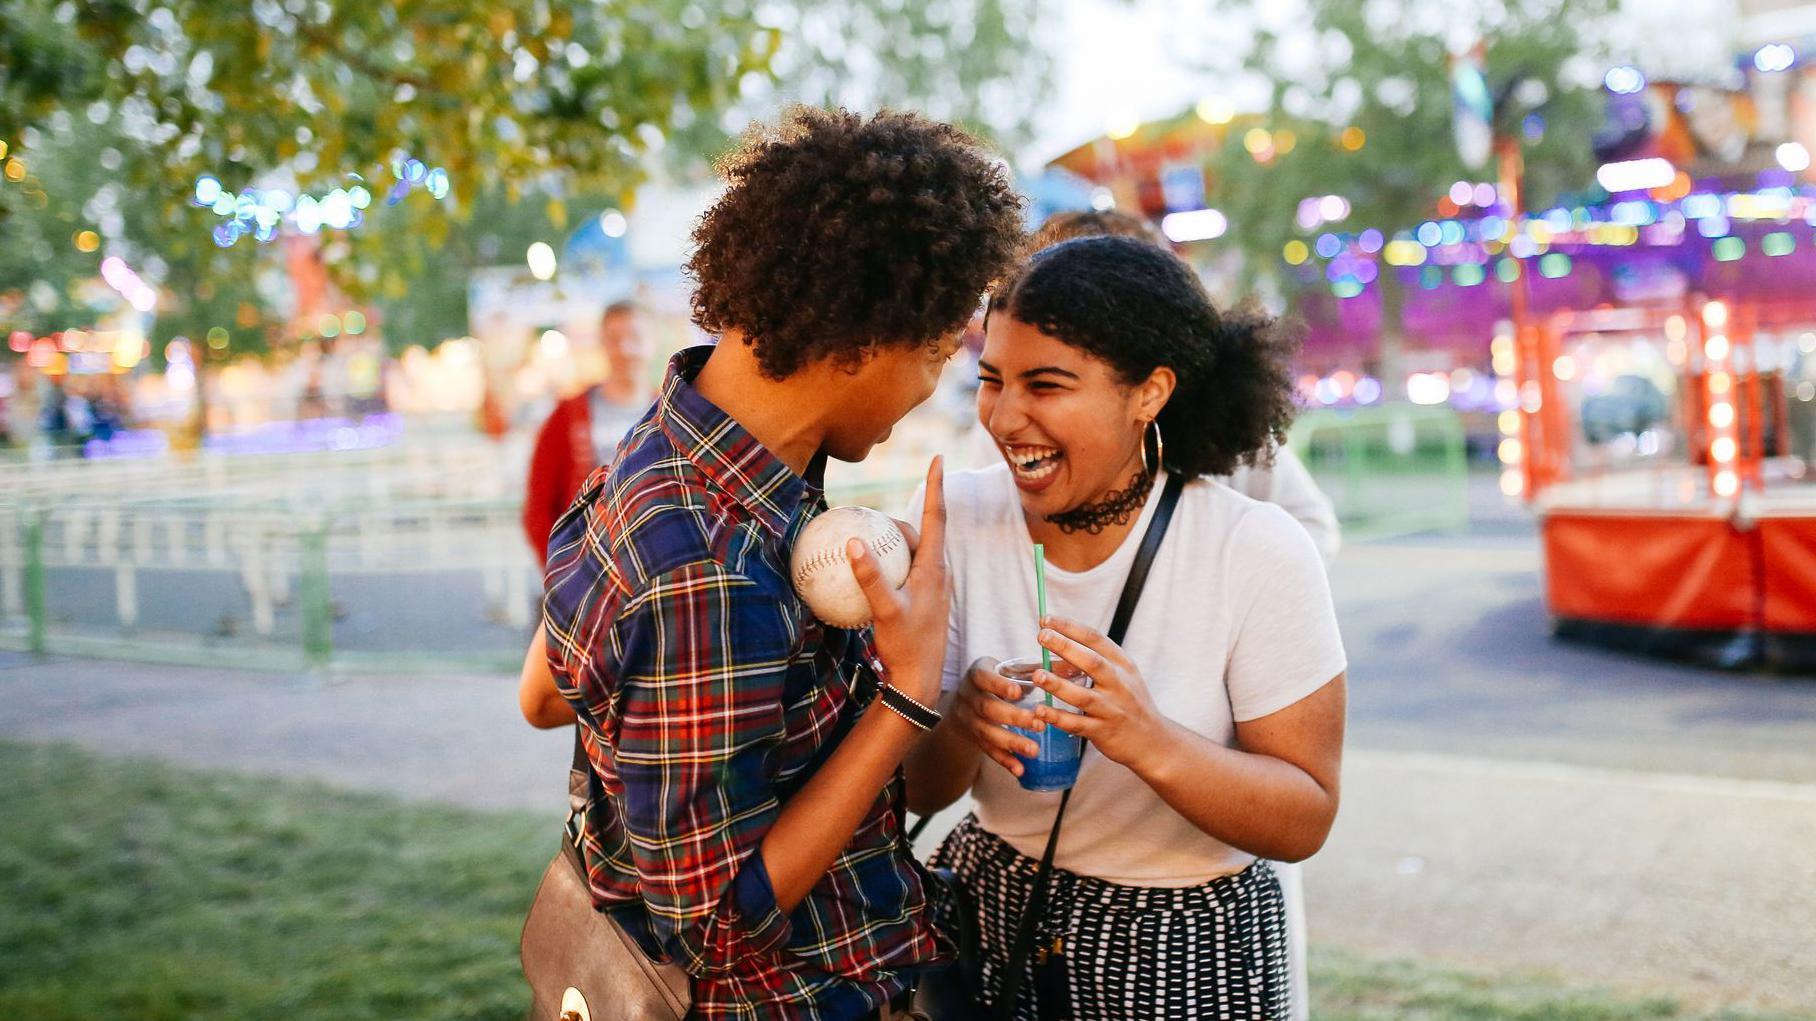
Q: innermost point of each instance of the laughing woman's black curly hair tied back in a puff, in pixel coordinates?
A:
(1138, 308)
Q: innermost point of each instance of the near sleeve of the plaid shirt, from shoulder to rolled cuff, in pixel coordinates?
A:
(704, 659)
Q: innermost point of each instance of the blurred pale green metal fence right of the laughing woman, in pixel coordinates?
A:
(1390, 470)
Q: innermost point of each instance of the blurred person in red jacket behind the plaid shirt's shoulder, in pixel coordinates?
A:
(584, 431)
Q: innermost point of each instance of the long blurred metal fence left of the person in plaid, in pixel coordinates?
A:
(406, 559)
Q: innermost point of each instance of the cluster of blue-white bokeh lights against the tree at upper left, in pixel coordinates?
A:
(261, 213)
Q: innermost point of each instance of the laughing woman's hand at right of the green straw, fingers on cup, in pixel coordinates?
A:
(1120, 717)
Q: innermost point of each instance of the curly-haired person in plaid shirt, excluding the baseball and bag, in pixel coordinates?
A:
(744, 815)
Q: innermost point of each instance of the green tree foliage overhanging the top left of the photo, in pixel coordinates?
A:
(528, 104)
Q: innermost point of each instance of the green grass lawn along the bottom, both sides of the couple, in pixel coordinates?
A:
(133, 891)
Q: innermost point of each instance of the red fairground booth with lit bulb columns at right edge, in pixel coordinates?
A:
(1657, 448)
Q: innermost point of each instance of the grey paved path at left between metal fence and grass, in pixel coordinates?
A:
(455, 740)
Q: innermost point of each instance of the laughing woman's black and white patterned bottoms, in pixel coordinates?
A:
(1216, 951)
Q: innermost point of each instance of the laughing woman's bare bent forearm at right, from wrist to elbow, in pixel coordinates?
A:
(1258, 804)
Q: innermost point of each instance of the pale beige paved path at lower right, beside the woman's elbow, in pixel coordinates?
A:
(1630, 880)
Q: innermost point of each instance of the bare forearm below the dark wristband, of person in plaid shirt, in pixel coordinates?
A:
(820, 820)
